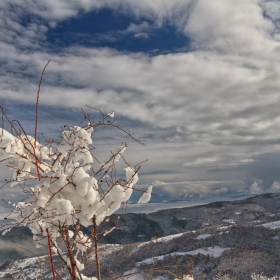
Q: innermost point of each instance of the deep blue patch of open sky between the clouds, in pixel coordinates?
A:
(122, 32)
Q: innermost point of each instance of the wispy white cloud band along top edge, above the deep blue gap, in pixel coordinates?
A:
(54, 11)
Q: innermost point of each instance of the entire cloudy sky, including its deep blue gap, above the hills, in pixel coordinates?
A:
(197, 80)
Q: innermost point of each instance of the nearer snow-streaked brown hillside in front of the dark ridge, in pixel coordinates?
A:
(212, 252)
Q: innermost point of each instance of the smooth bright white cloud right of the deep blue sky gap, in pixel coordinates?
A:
(233, 26)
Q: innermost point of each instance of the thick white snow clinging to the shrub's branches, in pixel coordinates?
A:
(66, 192)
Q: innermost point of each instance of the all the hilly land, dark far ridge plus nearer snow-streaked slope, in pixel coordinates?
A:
(215, 249)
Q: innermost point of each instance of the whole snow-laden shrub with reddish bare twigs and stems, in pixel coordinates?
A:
(68, 188)
